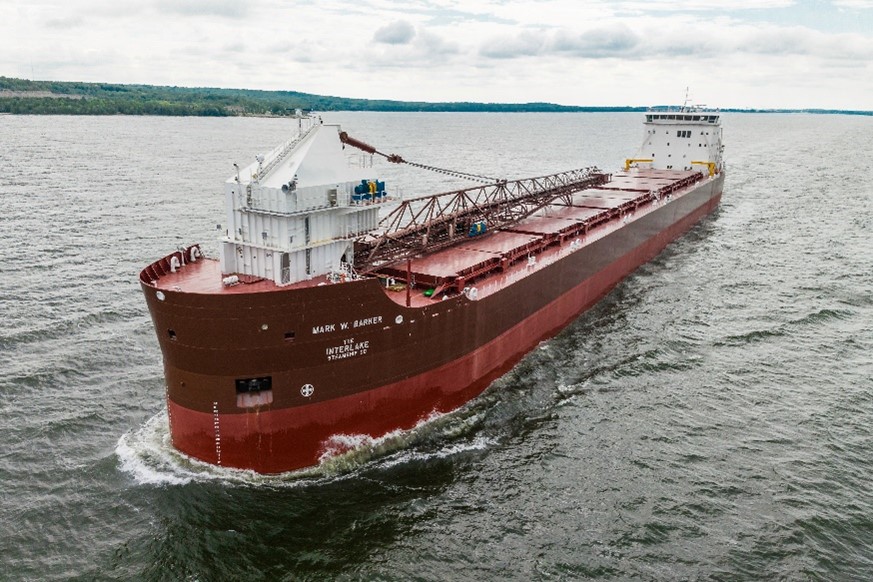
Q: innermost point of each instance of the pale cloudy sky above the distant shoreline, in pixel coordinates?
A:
(731, 53)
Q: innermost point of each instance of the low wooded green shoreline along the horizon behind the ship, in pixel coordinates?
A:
(22, 96)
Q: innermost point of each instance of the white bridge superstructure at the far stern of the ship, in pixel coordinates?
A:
(686, 138)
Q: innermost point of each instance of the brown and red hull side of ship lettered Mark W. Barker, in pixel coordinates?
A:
(395, 369)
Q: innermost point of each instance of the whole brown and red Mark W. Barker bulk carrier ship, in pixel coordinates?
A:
(336, 310)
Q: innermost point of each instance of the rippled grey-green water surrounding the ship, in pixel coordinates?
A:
(710, 419)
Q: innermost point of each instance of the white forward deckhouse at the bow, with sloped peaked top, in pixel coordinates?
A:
(293, 214)
